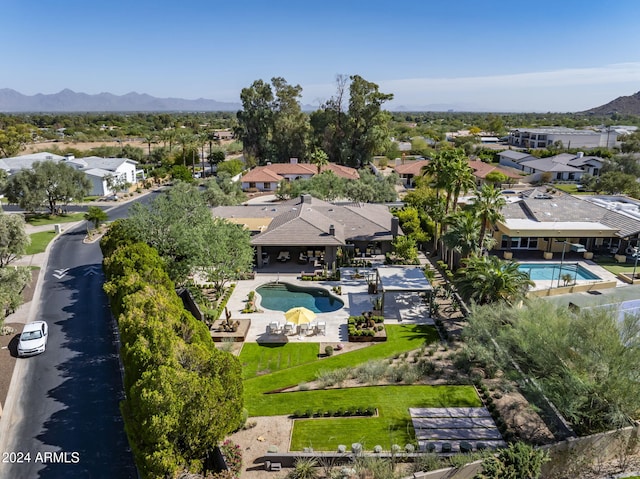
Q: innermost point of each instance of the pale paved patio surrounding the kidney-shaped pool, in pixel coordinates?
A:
(404, 308)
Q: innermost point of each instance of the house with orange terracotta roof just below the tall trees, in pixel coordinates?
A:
(267, 178)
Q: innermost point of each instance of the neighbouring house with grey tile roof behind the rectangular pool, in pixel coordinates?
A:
(541, 219)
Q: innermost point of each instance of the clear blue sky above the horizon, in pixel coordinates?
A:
(544, 55)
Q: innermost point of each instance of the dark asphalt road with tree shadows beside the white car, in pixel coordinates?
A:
(68, 398)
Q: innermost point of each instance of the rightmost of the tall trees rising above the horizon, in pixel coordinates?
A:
(367, 123)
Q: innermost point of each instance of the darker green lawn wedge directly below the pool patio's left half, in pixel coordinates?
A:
(259, 359)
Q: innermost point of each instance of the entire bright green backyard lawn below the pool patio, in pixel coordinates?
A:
(392, 425)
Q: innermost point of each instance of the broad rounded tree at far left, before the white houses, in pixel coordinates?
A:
(47, 183)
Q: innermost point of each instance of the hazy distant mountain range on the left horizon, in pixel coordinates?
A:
(67, 100)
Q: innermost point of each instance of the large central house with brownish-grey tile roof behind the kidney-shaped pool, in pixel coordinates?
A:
(312, 231)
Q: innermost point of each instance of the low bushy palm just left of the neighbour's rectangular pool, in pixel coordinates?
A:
(488, 279)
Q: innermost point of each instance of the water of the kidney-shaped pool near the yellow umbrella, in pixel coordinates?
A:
(284, 296)
